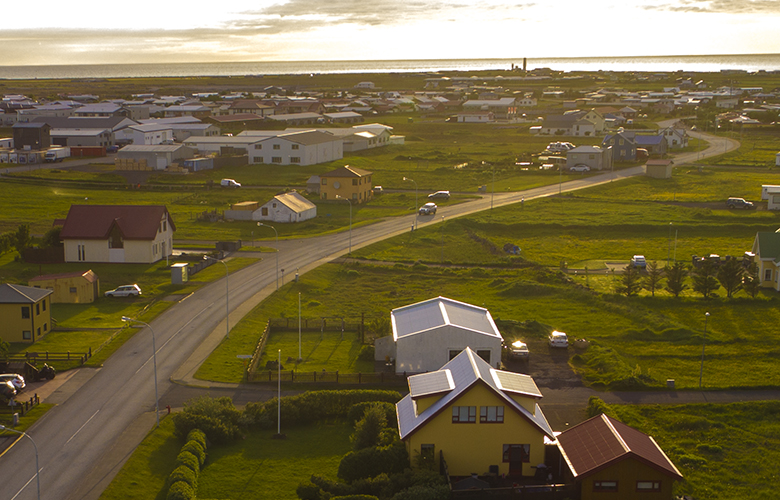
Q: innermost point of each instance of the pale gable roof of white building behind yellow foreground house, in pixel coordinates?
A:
(441, 311)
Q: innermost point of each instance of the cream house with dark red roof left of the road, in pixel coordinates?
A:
(117, 233)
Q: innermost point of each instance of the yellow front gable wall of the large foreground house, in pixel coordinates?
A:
(472, 448)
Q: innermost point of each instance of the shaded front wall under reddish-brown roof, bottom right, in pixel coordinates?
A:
(627, 473)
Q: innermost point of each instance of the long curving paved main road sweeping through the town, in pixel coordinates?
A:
(103, 414)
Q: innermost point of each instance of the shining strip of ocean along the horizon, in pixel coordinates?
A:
(712, 63)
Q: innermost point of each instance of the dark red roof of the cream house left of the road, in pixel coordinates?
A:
(94, 222)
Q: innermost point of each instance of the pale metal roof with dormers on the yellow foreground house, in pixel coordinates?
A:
(463, 372)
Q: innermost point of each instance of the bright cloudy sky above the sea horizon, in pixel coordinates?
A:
(146, 31)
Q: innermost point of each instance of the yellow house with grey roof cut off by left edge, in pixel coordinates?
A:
(25, 313)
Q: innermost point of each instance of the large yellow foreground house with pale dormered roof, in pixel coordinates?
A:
(477, 418)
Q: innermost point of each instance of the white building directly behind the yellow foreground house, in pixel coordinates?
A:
(428, 334)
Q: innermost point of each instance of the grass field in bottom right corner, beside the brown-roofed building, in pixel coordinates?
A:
(724, 451)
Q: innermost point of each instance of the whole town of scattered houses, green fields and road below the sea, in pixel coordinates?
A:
(392, 286)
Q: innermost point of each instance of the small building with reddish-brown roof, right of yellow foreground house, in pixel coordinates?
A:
(612, 460)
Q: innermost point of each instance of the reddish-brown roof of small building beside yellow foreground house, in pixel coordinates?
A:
(602, 441)
